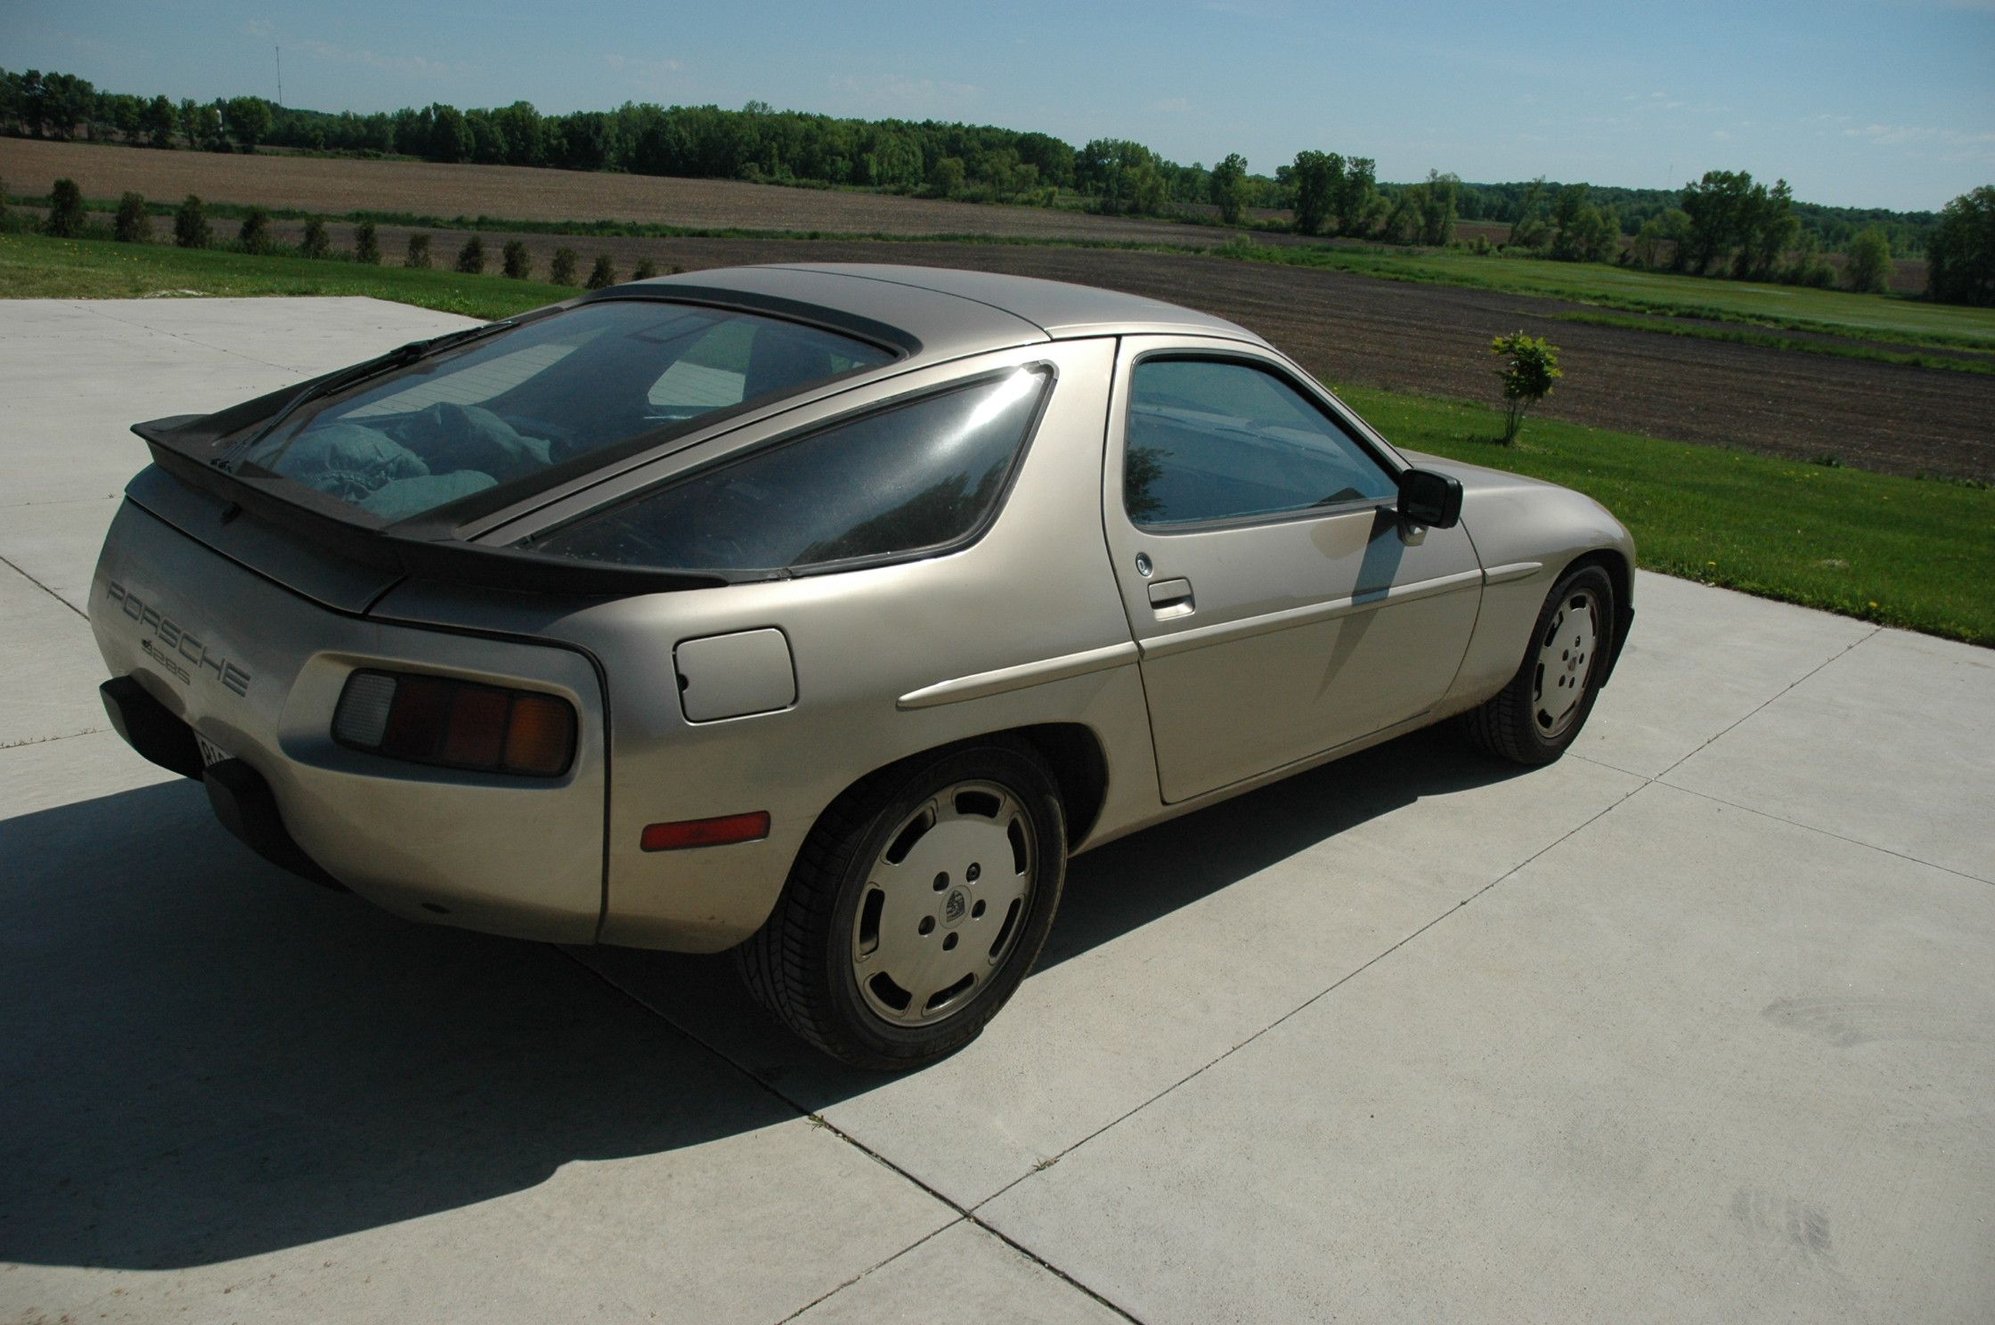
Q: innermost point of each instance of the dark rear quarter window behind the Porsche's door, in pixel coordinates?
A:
(905, 480)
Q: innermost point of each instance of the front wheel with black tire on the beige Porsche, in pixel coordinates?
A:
(1533, 719)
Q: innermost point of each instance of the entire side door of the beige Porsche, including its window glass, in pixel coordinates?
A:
(1280, 602)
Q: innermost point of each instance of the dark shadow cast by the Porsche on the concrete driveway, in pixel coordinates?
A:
(210, 1061)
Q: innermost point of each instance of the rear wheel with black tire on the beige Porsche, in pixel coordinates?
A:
(943, 871)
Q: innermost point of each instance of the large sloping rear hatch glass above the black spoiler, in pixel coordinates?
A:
(540, 396)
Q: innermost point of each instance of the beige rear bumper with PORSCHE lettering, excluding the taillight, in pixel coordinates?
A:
(206, 652)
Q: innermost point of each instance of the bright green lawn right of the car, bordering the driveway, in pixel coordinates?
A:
(1902, 552)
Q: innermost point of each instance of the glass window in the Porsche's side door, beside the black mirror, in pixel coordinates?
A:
(1222, 440)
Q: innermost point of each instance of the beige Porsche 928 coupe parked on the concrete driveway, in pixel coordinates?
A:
(819, 614)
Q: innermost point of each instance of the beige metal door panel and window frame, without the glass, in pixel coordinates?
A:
(1348, 622)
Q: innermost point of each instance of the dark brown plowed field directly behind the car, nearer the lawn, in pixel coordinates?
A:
(1435, 340)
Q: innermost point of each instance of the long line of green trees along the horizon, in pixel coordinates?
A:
(1725, 224)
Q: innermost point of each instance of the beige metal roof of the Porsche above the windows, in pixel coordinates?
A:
(953, 312)
